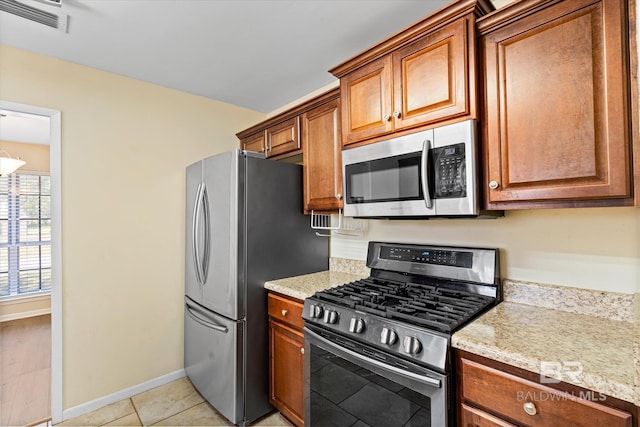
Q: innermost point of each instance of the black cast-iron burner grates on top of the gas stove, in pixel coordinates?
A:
(429, 306)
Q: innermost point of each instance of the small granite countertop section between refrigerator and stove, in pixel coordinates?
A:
(304, 286)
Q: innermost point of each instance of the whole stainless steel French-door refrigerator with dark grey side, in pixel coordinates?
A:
(244, 226)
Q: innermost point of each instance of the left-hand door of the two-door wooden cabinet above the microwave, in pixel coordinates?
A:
(367, 102)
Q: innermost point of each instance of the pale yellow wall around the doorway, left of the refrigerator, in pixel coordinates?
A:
(125, 146)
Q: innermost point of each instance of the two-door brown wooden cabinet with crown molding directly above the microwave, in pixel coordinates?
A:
(423, 75)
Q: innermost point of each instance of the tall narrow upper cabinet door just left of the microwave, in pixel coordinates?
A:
(322, 154)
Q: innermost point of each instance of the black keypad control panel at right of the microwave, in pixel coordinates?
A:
(450, 171)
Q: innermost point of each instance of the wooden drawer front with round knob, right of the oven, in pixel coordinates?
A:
(506, 395)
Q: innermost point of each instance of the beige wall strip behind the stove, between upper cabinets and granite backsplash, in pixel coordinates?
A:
(594, 248)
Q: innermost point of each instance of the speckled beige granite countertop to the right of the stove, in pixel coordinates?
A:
(591, 352)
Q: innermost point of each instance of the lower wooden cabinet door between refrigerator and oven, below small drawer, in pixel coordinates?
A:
(287, 371)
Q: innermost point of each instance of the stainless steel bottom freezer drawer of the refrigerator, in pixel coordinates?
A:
(213, 359)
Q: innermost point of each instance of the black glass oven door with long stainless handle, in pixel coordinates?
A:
(348, 383)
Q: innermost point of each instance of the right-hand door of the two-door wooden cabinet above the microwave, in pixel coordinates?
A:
(431, 77)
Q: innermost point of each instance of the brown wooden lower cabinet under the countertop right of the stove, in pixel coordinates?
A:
(493, 394)
